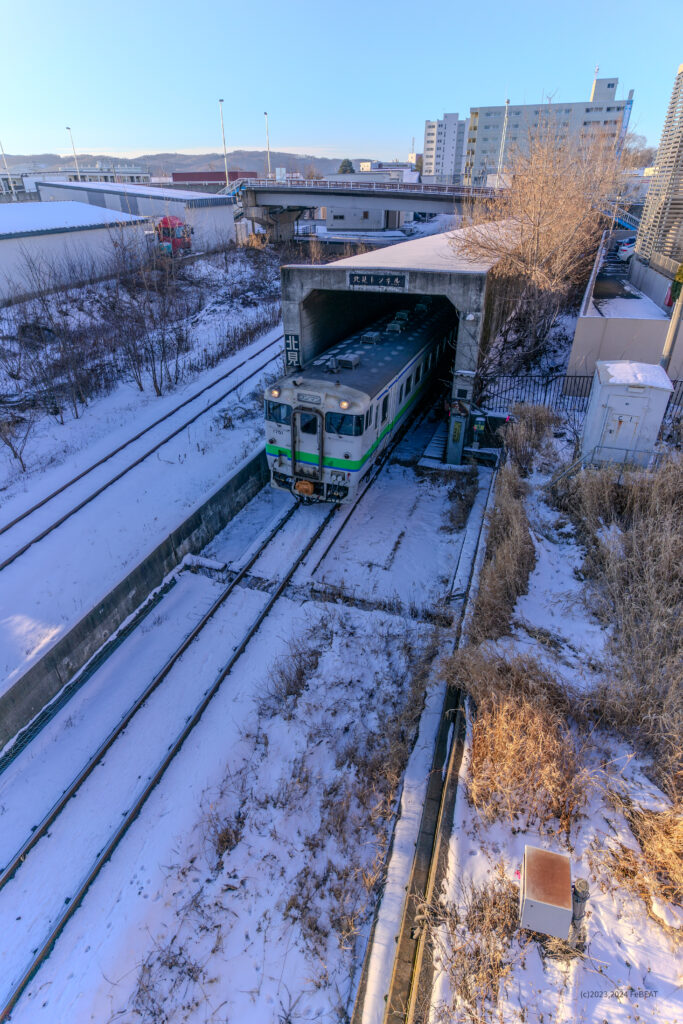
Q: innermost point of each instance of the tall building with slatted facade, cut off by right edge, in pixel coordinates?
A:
(660, 240)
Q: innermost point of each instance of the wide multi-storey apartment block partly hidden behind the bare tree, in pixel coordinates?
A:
(495, 132)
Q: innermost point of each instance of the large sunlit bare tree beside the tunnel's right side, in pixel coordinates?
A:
(541, 232)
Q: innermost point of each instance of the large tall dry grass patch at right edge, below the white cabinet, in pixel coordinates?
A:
(634, 534)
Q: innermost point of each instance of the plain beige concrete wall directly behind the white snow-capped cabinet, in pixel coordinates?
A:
(616, 338)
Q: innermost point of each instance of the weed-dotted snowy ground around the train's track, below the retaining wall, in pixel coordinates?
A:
(245, 890)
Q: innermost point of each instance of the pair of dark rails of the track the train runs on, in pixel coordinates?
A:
(69, 902)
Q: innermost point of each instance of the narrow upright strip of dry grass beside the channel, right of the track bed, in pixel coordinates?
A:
(510, 559)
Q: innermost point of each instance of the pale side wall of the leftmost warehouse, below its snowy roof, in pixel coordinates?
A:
(40, 263)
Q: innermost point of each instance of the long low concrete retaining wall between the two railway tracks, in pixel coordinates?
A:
(49, 676)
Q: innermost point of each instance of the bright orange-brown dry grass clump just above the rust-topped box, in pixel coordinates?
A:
(526, 758)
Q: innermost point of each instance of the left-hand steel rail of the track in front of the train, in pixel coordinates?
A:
(16, 863)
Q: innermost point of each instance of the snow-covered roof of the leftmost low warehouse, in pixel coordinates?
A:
(19, 220)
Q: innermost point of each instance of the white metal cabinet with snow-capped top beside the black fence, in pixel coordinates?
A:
(625, 412)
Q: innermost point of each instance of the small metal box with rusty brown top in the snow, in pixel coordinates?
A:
(545, 895)
